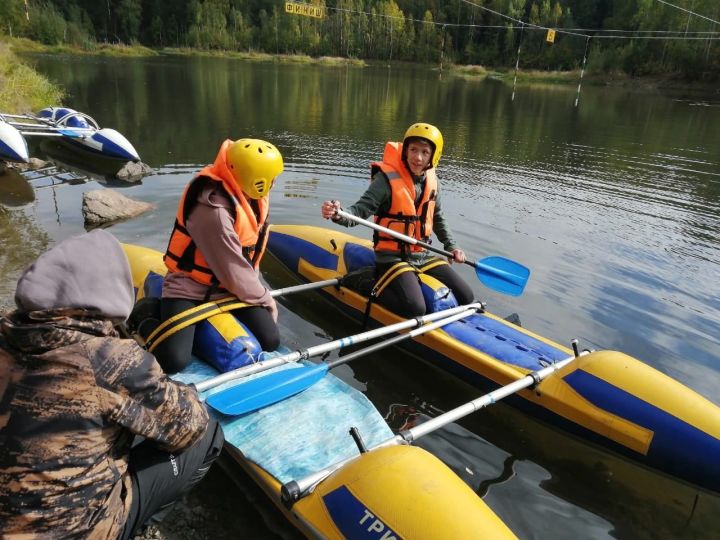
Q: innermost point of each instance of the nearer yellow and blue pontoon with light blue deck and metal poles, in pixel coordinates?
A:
(324, 455)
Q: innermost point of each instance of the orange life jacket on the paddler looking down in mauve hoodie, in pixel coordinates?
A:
(251, 225)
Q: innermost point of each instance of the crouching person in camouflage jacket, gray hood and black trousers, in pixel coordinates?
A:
(74, 397)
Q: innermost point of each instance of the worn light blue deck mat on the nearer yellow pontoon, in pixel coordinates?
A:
(302, 434)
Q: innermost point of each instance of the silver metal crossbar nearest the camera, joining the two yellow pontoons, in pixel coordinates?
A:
(295, 489)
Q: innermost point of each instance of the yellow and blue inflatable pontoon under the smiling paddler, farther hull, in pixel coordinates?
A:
(605, 397)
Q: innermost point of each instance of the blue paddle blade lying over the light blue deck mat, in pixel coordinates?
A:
(266, 390)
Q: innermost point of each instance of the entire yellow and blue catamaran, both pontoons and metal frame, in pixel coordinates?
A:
(328, 460)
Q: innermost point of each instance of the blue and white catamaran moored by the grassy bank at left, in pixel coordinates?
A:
(75, 128)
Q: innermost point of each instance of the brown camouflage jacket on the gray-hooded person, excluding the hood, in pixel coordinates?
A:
(72, 397)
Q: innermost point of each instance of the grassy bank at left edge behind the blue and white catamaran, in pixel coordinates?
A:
(22, 88)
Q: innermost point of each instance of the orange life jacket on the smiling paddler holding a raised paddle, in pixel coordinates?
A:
(403, 215)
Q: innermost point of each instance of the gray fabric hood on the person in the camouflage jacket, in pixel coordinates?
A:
(89, 271)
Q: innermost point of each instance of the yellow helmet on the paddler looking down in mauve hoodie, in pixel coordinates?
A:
(254, 164)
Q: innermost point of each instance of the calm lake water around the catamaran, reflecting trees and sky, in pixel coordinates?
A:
(613, 205)
